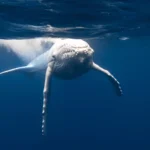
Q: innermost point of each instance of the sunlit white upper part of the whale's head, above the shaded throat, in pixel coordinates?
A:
(72, 50)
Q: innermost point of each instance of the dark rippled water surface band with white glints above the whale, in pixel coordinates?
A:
(70, 18)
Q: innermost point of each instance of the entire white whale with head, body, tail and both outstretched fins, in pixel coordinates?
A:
(67, 59)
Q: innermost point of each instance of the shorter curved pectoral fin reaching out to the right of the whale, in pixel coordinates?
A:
(112, 79)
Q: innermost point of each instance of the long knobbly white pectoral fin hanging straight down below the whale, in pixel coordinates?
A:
(46, 95)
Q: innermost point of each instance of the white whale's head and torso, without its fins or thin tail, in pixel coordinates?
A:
(69, 62)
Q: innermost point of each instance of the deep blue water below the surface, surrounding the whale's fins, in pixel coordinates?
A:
(84, 113)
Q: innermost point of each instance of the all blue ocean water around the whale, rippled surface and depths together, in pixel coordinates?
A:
(84, 113)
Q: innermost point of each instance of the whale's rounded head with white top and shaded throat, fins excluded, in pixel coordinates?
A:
(72, 58)
